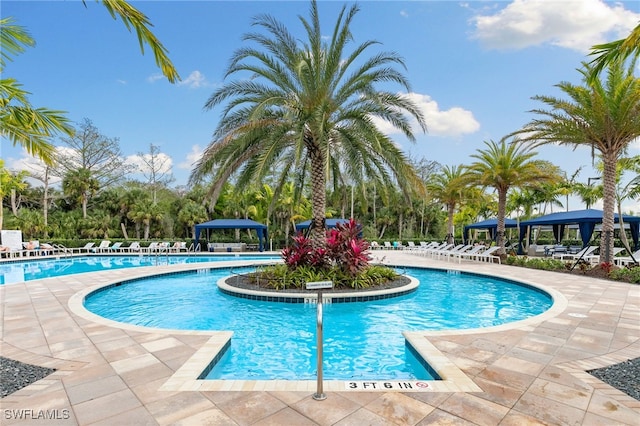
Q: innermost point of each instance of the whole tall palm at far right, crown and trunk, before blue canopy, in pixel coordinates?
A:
(604, 116)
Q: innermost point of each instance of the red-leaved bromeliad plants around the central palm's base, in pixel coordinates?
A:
(345, 250)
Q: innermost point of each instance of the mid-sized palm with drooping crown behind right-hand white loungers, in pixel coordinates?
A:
(504, 165)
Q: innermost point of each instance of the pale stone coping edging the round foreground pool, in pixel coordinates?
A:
(186, 377)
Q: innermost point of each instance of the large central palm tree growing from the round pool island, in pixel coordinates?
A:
(310, 108)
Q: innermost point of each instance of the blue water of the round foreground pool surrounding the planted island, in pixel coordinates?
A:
(362, 340)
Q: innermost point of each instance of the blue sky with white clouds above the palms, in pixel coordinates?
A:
(473, 66)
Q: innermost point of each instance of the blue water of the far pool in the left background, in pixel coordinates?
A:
(13, 272)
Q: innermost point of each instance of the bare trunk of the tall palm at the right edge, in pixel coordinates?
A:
(609, 160)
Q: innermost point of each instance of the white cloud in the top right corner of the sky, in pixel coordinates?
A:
(576, 25)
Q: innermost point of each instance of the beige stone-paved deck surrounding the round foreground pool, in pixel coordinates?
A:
(530, 373)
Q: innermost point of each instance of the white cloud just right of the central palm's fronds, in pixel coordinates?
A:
(453, 122)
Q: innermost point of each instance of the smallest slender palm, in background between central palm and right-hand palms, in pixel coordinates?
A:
(448, 187)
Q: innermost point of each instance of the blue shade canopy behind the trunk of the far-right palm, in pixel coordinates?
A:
(585, 219)
